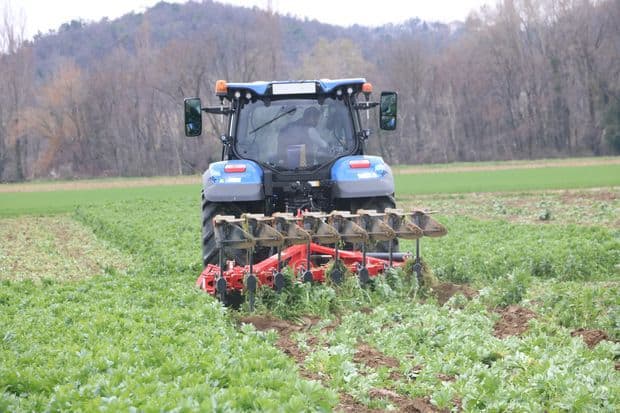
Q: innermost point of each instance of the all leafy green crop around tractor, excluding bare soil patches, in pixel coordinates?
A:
(149, 340)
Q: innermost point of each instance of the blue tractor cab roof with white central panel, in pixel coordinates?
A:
(289, 87)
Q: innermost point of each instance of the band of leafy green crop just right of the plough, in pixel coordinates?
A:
(480, 252)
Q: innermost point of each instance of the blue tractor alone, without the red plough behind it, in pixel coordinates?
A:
(292, 146)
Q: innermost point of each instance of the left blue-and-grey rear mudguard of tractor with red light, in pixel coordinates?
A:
(232, 181)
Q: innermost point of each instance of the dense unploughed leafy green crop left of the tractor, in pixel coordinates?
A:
(148, 340)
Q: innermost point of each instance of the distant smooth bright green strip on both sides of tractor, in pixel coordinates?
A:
(518, 179)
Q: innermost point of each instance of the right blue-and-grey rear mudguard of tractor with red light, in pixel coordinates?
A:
(361, 176)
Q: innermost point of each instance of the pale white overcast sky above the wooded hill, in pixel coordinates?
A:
(43, 15)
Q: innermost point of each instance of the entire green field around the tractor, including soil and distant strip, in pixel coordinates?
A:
(520, 310)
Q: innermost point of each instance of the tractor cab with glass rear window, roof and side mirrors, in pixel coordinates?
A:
(293, 126)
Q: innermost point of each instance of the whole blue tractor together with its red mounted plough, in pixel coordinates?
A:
(295, 187)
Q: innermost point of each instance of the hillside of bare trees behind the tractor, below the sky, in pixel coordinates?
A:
(527, 79)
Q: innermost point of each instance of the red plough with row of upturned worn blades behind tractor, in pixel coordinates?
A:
(302, 241)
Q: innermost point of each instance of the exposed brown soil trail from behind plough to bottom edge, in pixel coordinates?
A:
(365, 354)
